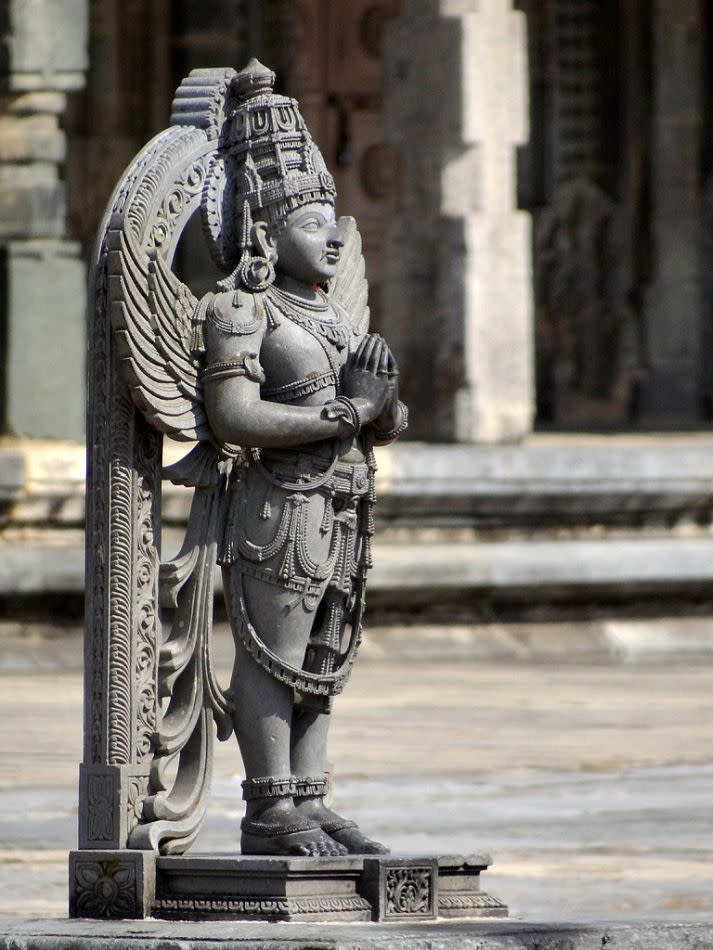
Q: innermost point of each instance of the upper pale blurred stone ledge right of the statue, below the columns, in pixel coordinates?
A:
(549, 480)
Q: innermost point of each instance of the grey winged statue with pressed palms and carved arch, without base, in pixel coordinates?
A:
(276, 378)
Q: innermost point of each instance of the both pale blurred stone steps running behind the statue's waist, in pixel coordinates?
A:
(553, 518)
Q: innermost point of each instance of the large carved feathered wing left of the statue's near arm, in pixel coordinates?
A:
(152, 315)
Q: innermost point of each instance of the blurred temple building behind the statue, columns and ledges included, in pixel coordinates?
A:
(534, 186)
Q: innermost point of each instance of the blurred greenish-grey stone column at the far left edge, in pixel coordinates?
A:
(42, 280)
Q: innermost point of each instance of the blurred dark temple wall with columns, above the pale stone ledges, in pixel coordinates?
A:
(532, 179)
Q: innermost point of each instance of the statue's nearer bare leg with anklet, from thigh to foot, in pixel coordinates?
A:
(263, 713)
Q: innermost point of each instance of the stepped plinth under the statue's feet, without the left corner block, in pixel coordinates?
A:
(382, 887)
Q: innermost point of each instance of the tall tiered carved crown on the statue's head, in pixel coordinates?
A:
(266, 165)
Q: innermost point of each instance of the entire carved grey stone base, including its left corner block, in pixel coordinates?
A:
(389, 887)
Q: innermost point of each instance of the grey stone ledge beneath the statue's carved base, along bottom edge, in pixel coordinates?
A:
(481, 935)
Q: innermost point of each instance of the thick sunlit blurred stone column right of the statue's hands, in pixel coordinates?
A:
(458, 294)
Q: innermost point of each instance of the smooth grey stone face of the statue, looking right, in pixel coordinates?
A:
(308, 245)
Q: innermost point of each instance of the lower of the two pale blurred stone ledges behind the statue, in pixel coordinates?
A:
(553, 569)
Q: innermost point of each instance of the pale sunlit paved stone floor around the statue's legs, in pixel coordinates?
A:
(589, 781)
